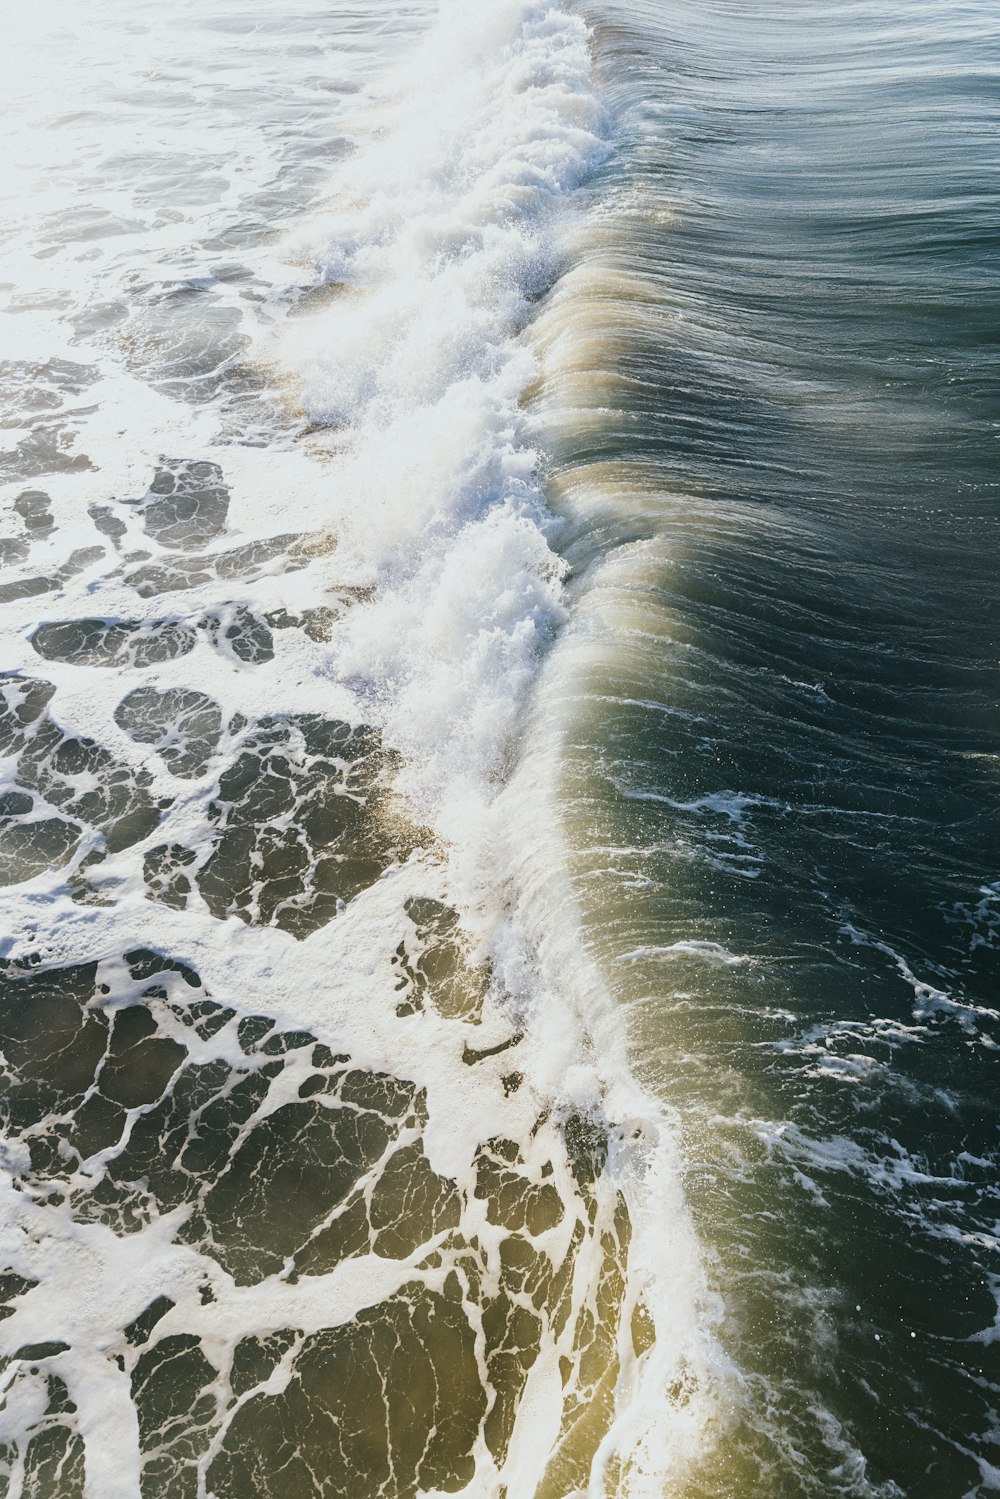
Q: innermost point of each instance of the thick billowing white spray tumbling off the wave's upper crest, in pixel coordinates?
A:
(439, 235)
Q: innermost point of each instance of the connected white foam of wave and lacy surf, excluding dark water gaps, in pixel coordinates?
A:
(424, 263)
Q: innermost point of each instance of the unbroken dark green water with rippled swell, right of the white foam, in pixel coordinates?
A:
(773, 393)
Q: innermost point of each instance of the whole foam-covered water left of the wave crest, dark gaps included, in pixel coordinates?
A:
(325, 1170)
